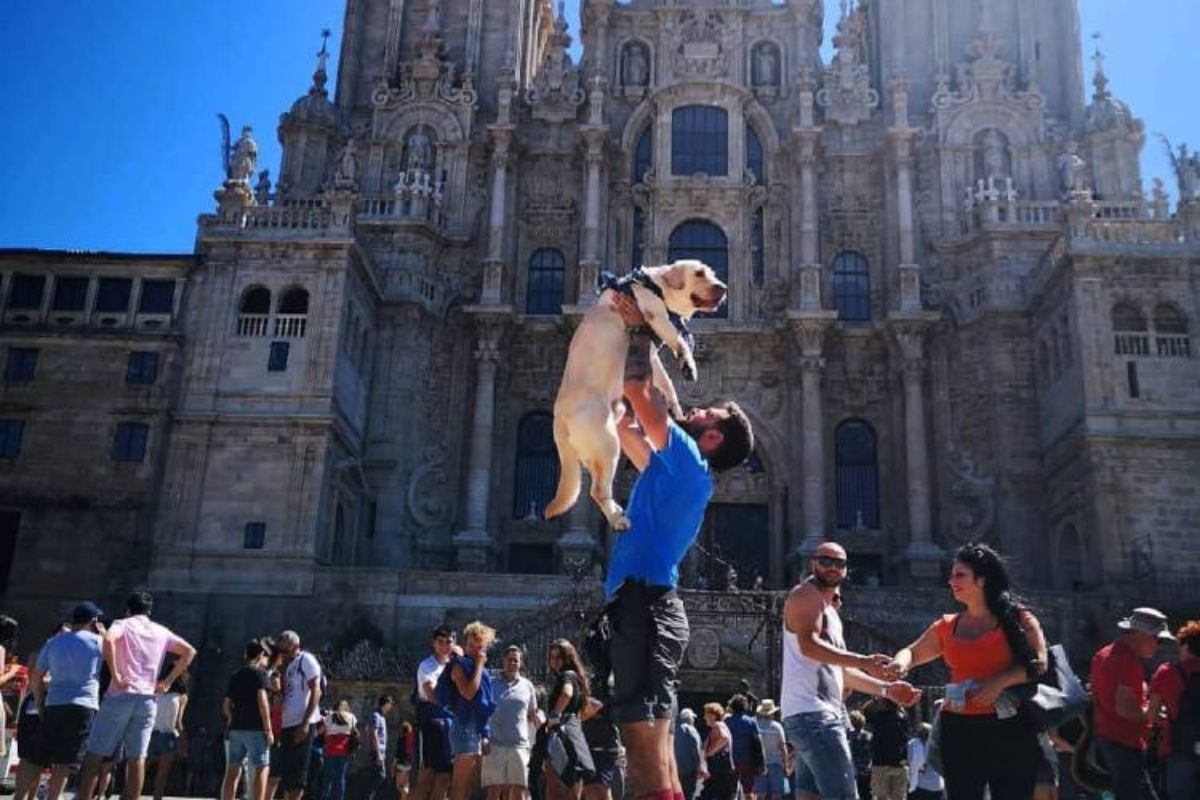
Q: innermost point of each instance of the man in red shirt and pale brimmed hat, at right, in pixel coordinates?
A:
(1121, 708)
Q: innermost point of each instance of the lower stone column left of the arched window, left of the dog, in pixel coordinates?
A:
(475, 544)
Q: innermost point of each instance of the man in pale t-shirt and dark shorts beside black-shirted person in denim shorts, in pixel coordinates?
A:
(303, 689)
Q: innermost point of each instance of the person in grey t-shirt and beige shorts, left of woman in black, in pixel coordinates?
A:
(506, 771)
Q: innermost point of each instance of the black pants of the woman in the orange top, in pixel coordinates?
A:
(986, 751)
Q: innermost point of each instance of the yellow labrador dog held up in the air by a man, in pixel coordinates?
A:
(589, 402)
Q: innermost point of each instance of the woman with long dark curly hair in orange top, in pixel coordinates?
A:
(994, 643)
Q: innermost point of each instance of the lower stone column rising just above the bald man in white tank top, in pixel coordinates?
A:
(809, 333)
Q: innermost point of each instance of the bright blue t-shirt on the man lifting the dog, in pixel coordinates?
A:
(665, 510)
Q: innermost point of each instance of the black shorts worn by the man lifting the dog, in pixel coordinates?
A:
(650, 635)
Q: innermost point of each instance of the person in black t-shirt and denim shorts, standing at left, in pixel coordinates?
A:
(249, 732)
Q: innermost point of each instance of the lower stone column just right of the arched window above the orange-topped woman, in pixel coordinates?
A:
(925, 557)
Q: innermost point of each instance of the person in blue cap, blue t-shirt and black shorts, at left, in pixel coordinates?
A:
(73, 660)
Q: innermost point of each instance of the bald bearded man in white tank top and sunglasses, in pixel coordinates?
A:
(818, 669)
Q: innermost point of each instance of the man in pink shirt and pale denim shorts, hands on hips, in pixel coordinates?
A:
(134, 649)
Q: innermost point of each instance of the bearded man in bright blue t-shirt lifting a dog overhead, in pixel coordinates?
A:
(667, 508)
